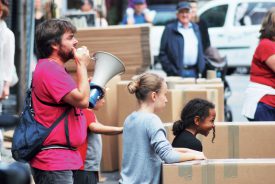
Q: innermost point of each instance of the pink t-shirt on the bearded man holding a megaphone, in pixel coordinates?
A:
(51, 83)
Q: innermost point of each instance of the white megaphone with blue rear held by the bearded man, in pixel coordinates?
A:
(106, 67)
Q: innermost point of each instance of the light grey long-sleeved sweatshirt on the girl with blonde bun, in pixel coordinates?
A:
(144, 147)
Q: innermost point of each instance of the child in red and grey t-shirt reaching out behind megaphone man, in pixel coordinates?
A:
(91, 150)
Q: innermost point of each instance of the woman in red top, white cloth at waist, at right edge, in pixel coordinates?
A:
(259, 103)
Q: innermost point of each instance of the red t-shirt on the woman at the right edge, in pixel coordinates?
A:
(260, 72)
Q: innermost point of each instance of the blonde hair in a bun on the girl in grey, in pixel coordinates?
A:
(144, 84)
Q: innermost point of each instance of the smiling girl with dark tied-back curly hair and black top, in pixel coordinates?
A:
(197, 117)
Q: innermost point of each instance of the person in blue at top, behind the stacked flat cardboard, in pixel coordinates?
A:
(137, 14)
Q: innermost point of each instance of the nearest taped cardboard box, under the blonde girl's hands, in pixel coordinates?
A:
(220, 171)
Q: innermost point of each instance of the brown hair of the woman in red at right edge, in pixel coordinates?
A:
(268, 26)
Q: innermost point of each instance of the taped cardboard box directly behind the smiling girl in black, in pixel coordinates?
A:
(237, 140)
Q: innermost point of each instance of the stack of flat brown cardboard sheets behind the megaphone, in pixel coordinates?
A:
(129, 43)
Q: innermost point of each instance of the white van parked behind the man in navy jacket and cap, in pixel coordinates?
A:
(233, 28)
